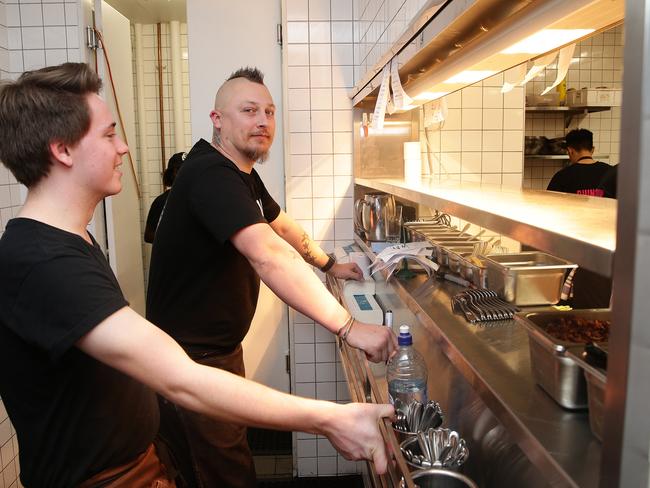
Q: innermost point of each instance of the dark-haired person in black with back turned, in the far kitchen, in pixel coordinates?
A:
(584, 175)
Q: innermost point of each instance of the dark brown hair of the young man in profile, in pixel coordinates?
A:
(41, 107)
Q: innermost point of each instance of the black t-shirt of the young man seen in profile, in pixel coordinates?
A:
(74, 415)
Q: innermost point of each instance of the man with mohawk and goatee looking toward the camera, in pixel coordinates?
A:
(220, 233)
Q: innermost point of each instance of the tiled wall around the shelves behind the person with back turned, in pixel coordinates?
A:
(598, 62)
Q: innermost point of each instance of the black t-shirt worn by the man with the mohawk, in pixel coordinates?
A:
(202, 290)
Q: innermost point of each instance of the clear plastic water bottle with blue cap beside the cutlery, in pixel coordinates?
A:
(407, 371)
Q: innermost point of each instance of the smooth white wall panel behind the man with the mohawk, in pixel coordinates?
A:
(222, 40)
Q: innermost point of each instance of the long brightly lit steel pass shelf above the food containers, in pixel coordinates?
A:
(578, 228)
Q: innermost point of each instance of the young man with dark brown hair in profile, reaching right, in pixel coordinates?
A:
(78, 367)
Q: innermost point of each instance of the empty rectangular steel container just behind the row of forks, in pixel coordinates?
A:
(527, 278)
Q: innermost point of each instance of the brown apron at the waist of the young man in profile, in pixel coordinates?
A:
(146, 471)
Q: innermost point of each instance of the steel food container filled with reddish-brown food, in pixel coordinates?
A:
(553, 369)
